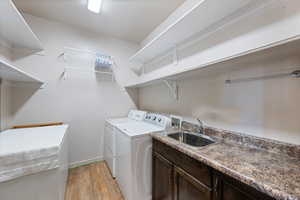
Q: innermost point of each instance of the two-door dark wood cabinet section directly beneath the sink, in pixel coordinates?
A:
(177, 176)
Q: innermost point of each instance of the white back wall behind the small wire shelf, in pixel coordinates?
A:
(81, 100)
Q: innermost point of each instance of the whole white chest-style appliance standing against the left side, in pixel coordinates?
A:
(34, 163)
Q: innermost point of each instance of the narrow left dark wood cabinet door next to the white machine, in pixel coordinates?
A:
(163, 178)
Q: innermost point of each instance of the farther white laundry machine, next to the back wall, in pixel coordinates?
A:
(110, 137)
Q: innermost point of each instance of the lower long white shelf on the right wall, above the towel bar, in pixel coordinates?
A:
(279, 24)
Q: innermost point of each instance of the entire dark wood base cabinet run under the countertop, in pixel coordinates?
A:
(177, 176)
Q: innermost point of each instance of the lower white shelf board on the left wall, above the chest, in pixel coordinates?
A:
(11, 73)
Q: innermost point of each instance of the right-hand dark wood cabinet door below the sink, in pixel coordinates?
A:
(189, 188)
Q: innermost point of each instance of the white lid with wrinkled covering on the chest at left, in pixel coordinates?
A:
(31, 150)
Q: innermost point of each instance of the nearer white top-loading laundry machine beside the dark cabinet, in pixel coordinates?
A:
(134, 156)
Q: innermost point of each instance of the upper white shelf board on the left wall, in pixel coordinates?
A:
(14, 29)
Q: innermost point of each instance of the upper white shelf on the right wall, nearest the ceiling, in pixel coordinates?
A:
(199, 20)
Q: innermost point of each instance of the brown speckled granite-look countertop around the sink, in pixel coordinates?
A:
(272, 173)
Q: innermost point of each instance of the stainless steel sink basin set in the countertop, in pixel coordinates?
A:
(193, 139)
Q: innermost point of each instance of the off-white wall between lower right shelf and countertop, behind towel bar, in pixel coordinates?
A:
(268, 108)
